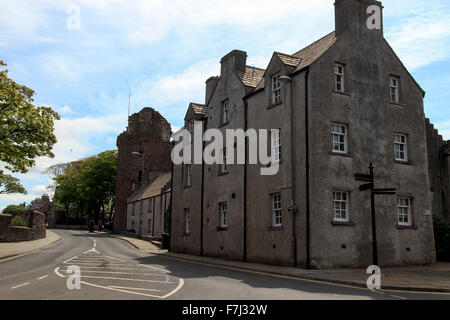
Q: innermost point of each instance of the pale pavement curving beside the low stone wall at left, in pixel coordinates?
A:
(13, 249)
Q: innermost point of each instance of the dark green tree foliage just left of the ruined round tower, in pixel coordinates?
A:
(87, 185)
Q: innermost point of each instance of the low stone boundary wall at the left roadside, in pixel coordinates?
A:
(36, 228)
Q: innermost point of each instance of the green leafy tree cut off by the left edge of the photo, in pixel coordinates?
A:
(26, 131)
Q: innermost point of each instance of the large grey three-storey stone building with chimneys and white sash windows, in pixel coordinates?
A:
(341, 103)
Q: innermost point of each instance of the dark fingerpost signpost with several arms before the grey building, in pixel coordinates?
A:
(371, 186)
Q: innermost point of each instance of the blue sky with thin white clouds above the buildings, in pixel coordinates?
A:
(84, 57)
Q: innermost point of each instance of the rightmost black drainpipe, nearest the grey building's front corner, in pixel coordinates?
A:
(308, 210)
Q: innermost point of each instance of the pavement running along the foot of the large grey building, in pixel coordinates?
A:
(427, 278)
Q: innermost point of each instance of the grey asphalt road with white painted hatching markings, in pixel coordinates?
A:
(112, 269)
